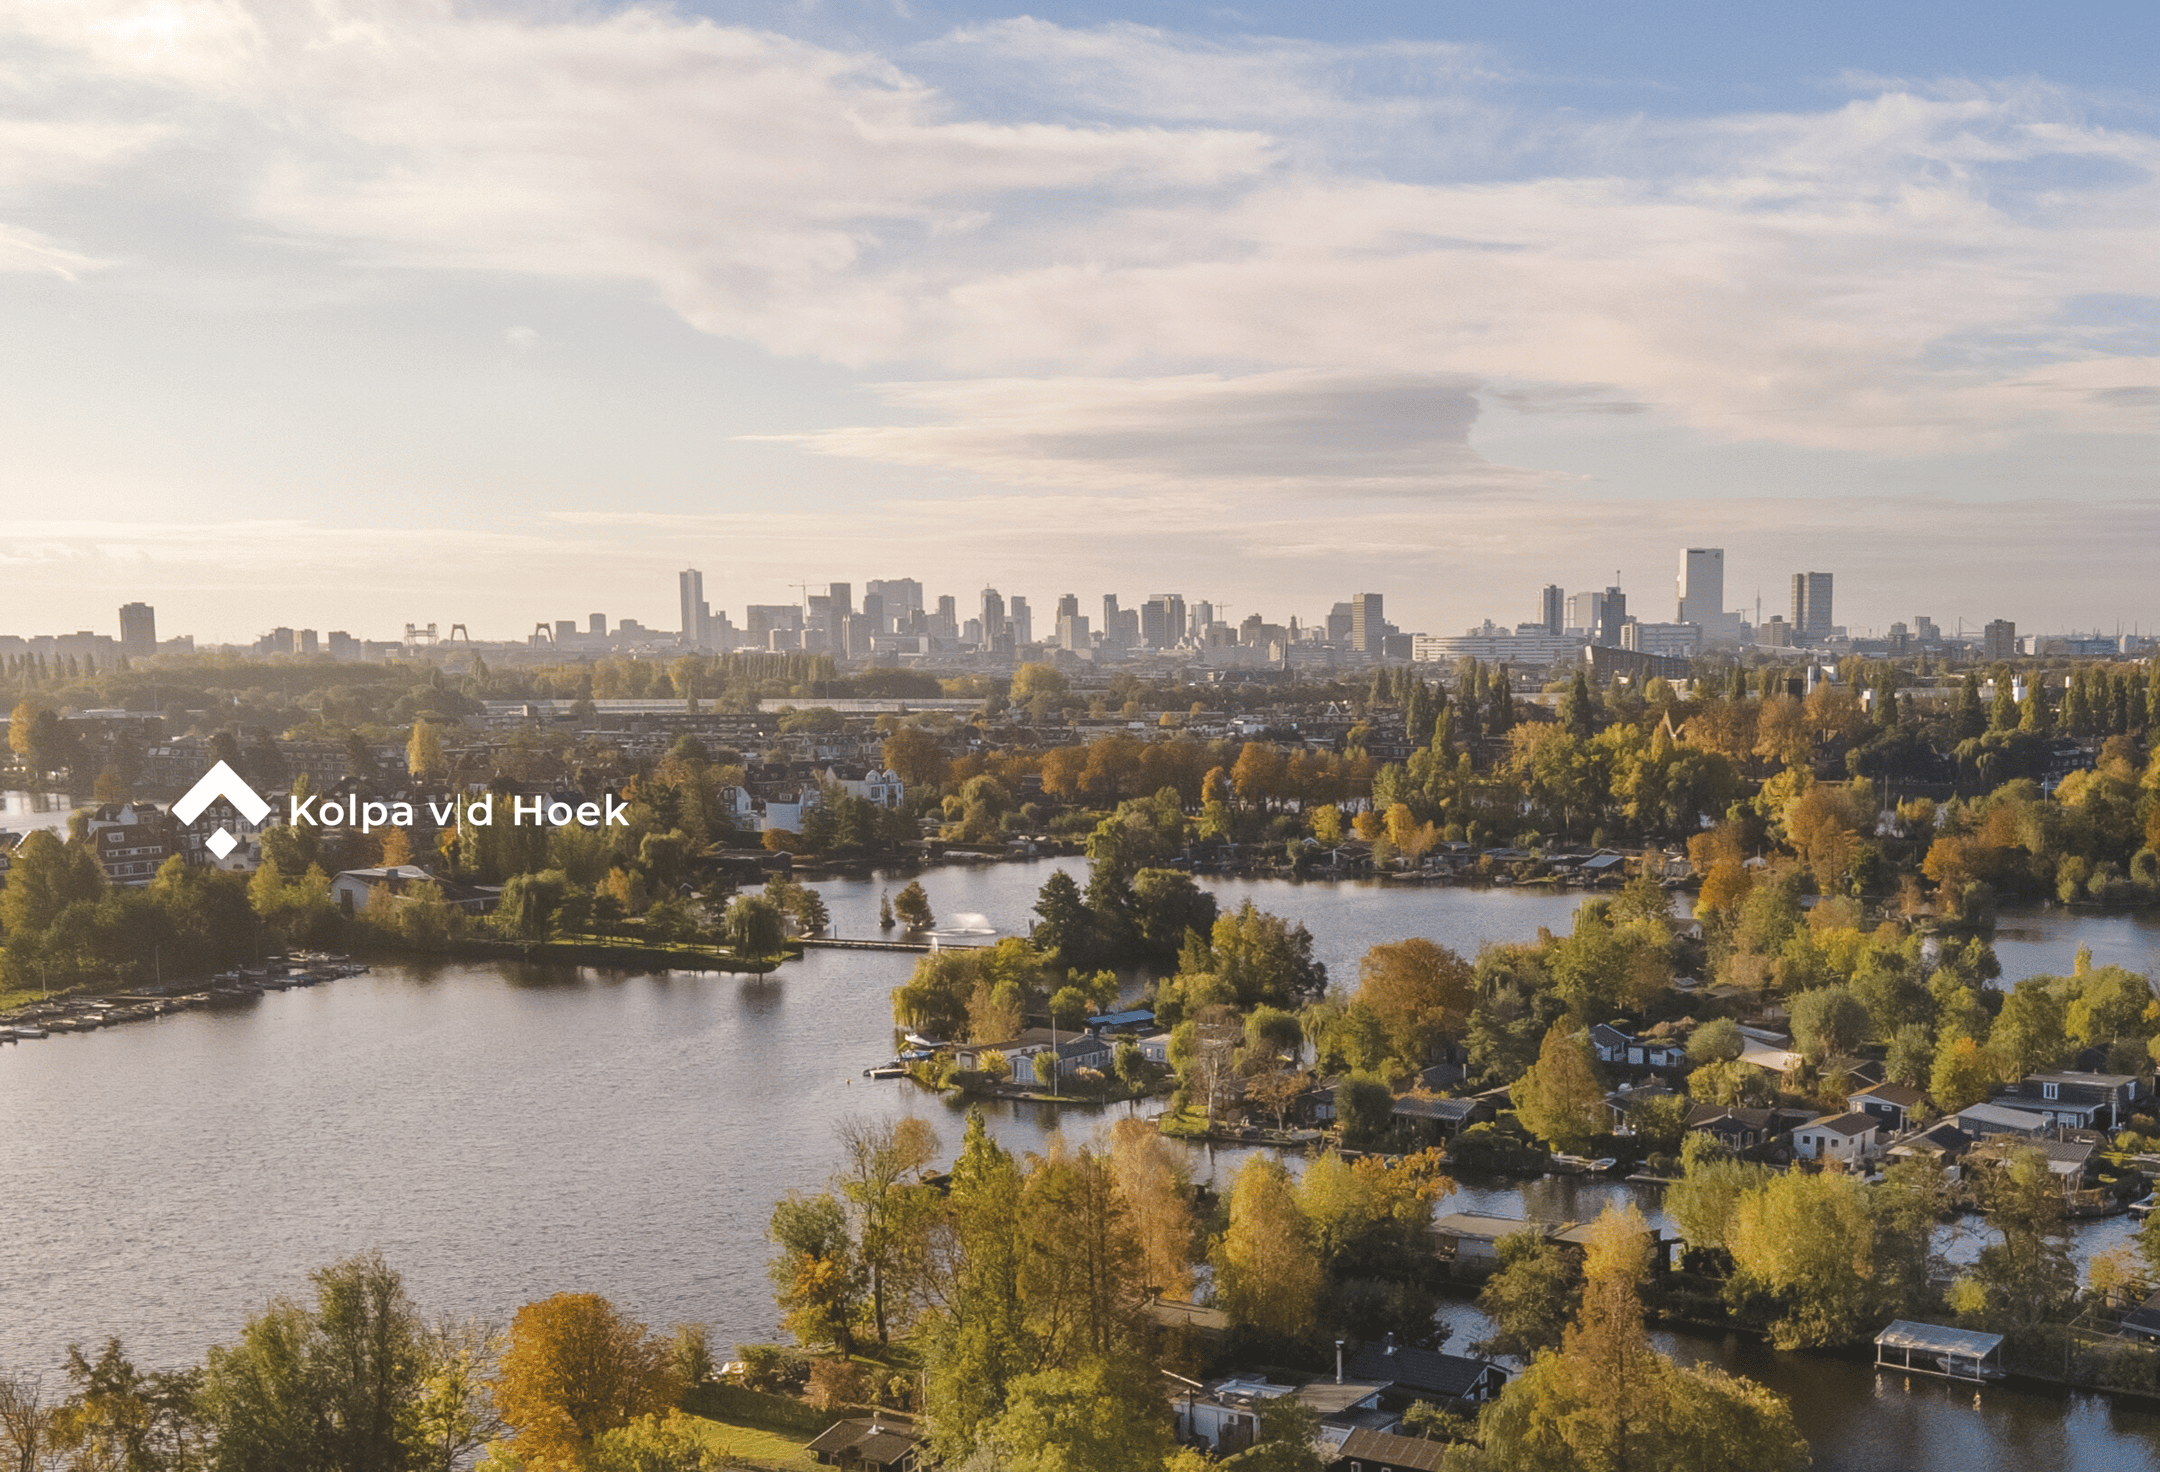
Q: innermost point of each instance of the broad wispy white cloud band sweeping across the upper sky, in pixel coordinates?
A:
(1077, 206)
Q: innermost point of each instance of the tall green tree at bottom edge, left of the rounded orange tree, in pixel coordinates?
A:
(325, 1387)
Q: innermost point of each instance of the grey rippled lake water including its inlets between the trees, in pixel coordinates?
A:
(513, 1132)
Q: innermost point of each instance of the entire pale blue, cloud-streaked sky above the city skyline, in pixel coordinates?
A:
(338, 315)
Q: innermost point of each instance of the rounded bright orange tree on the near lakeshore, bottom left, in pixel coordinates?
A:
(576, 1369)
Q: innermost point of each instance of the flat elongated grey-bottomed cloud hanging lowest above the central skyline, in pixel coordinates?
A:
(1288, 431)
